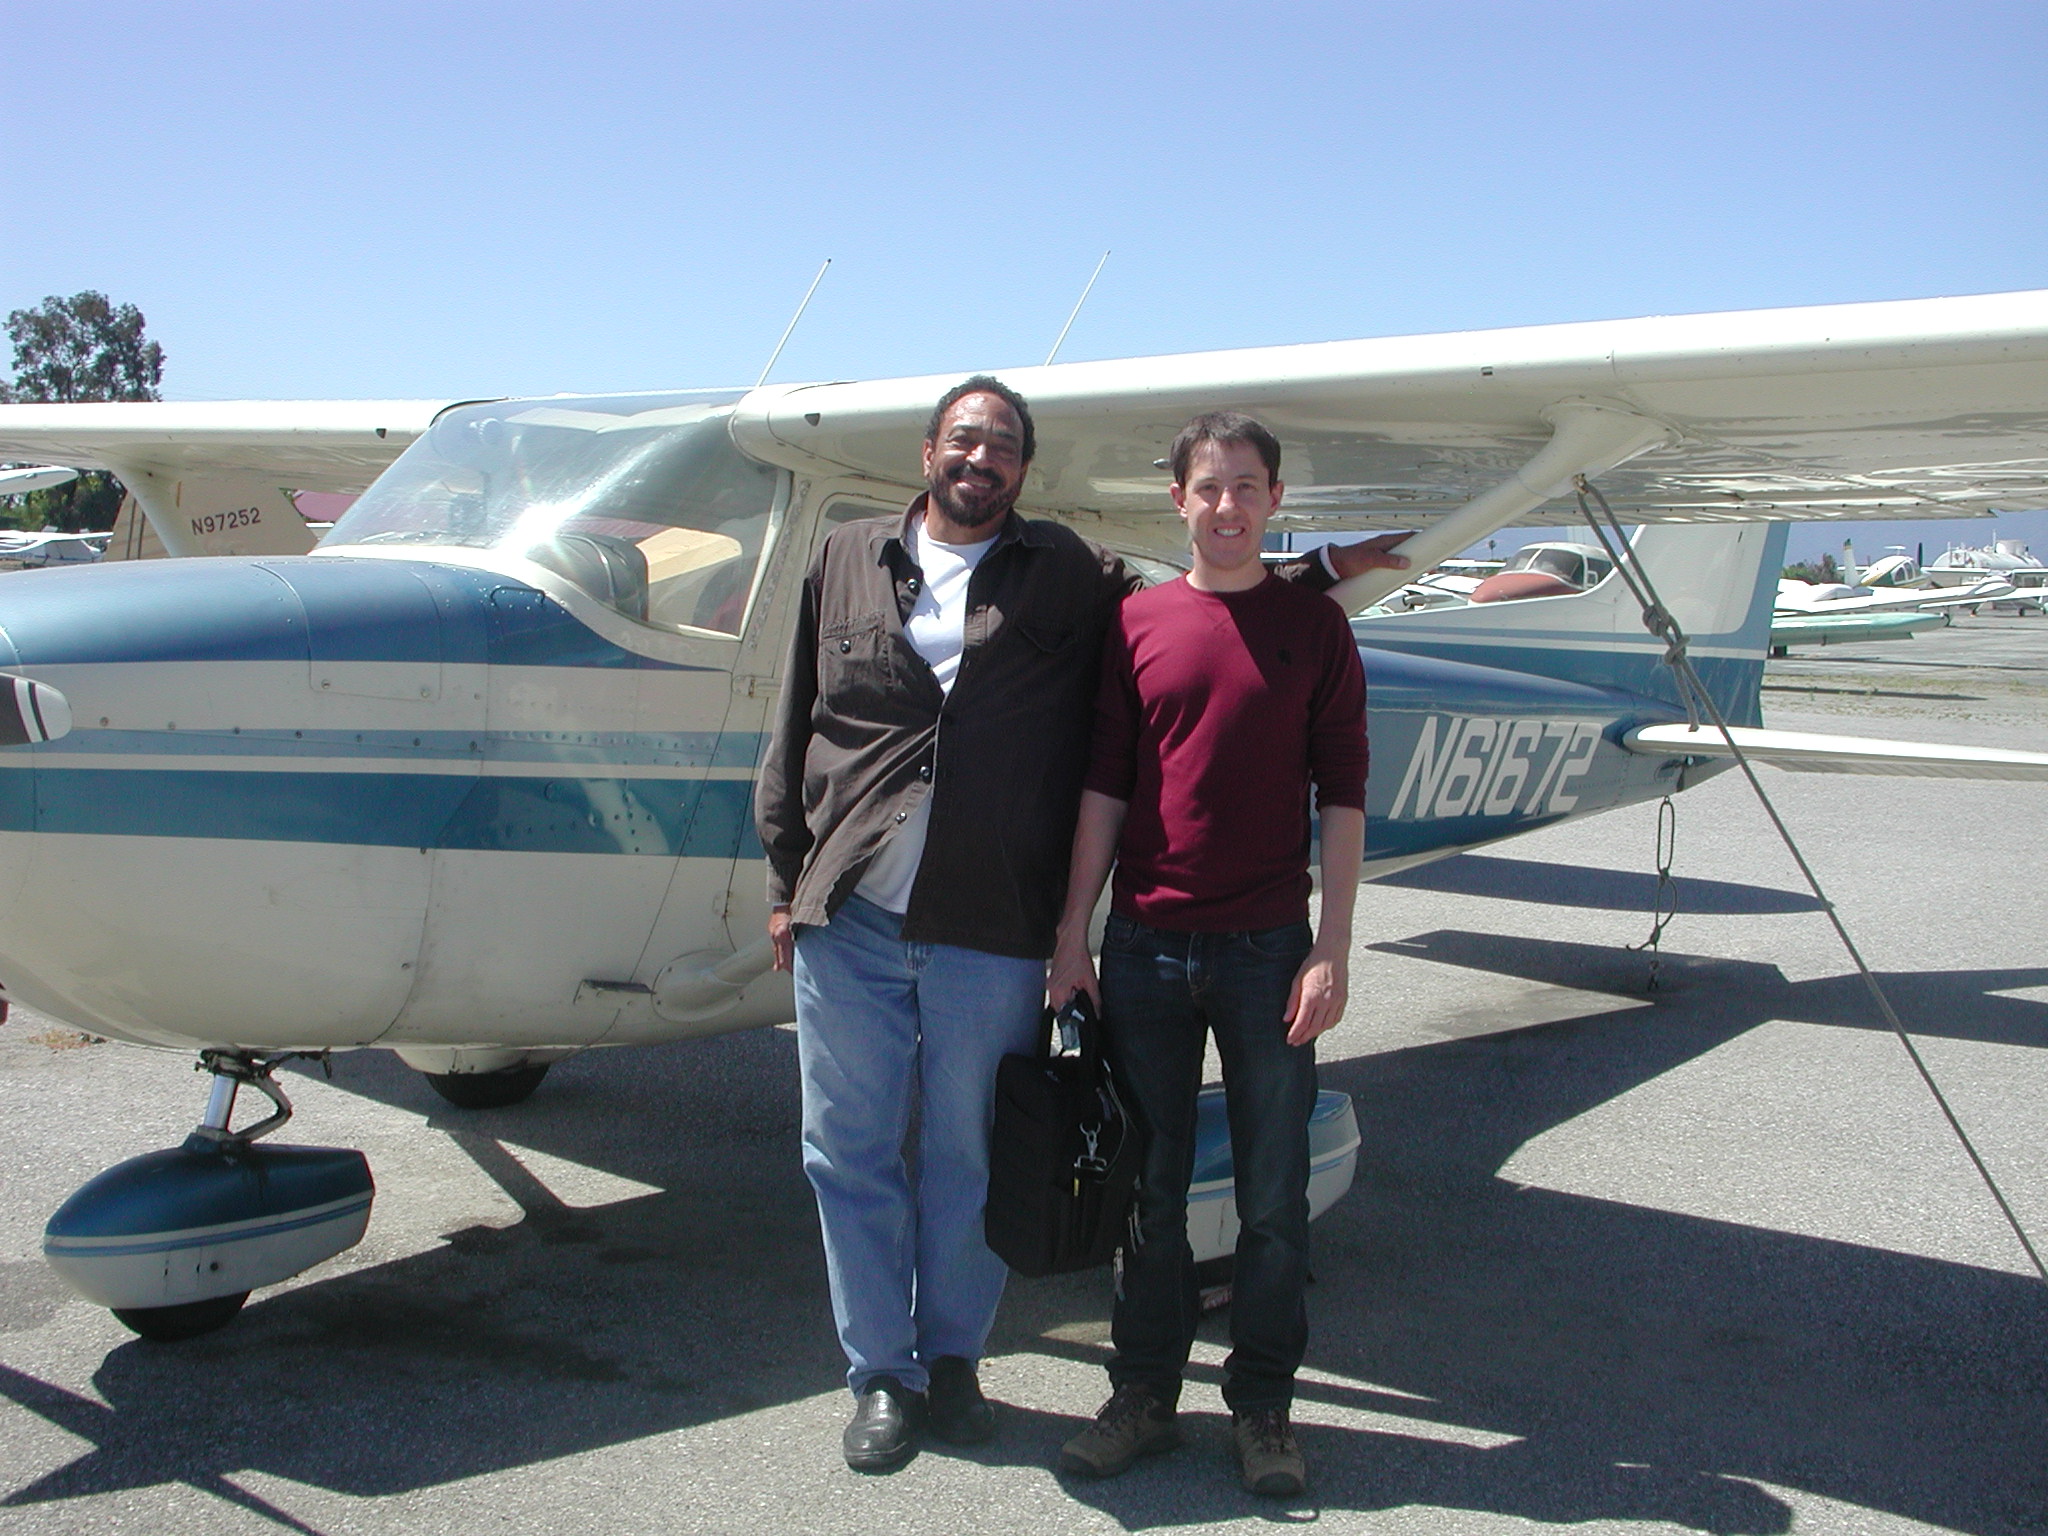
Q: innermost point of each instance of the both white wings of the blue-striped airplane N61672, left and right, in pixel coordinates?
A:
(1918, 409)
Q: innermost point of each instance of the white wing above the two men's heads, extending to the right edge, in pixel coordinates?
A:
(1922, 409)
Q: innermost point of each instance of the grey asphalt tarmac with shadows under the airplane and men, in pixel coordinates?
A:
(1687, 1258)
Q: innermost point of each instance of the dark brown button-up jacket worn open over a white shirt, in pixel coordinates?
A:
(863, 732)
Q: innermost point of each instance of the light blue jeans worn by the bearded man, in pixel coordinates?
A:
(886, 1027)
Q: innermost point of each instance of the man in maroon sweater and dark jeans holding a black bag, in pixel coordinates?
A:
(1226, 695)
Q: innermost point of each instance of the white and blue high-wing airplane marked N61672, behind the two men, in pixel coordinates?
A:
(472, 779)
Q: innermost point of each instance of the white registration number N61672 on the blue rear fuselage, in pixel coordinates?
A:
(1492, 765)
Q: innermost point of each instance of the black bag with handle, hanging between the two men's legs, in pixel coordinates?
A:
(1066, 1156)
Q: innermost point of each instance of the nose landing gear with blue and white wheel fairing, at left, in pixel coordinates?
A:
(173, 1242)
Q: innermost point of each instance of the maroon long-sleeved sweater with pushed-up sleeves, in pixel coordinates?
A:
(1218, 710)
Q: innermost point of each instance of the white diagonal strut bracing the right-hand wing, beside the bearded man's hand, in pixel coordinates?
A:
(1586, 439)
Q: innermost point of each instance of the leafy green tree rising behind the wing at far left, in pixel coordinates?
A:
(69, 351)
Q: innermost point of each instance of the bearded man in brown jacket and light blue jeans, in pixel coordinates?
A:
(919, 806)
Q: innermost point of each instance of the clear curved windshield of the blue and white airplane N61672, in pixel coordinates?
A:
(642, 501)
